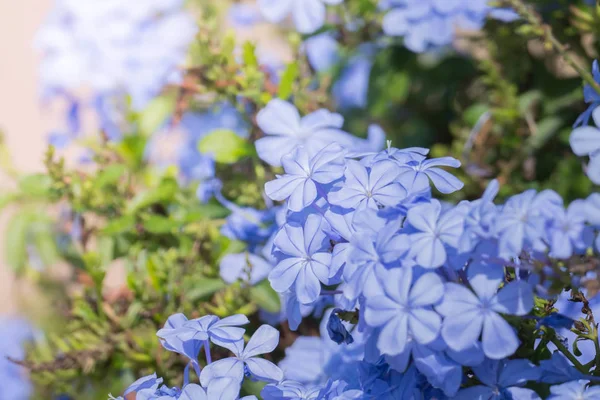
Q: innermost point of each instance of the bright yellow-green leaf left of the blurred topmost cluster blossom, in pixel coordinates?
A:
(225, 145)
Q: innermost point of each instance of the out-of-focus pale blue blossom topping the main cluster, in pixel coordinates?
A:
(284, 130)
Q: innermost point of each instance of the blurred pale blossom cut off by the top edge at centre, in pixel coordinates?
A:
(308, 15)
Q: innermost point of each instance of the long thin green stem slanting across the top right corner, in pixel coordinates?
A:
(544, 32)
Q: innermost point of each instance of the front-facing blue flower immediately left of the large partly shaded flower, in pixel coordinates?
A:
(405, 309)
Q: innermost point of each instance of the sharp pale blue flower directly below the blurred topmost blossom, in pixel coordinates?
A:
(304, 173)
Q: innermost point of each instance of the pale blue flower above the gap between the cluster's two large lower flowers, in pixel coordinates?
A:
(435, 231)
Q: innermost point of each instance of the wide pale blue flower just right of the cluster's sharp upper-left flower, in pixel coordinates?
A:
(368, 187)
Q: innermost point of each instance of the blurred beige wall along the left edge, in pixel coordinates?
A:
(24, 123)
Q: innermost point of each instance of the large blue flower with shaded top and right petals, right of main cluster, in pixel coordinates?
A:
(468, 315)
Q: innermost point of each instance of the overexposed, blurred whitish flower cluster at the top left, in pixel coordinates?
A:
(114, 49)
